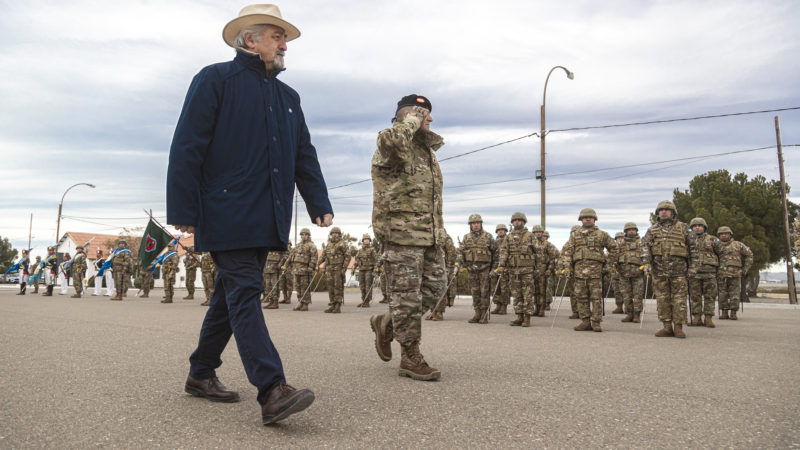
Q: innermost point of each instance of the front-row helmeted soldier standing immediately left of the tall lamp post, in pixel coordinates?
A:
(517, 262)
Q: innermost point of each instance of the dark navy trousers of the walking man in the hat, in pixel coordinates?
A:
(236, 309)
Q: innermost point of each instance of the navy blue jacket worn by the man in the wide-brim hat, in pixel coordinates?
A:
(240, 146)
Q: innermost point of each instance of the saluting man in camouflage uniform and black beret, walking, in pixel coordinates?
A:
(407, 220)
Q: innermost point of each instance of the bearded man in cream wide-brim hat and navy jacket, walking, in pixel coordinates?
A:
(240, 146)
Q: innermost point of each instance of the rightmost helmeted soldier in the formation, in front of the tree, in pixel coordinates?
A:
(735, 260)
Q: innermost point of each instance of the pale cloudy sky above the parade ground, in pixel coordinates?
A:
(91, 92)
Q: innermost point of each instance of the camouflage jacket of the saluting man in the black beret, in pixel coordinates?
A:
(407, 186)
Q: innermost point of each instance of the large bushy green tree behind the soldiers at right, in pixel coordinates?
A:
(751, 207)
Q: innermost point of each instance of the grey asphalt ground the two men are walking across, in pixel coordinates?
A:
(89, 372)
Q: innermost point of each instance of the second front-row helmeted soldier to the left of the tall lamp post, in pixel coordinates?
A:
(478, 256)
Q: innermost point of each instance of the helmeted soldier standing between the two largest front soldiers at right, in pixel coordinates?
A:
(630, 274)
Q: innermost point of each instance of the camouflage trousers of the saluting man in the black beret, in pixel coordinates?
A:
(416, 278)
